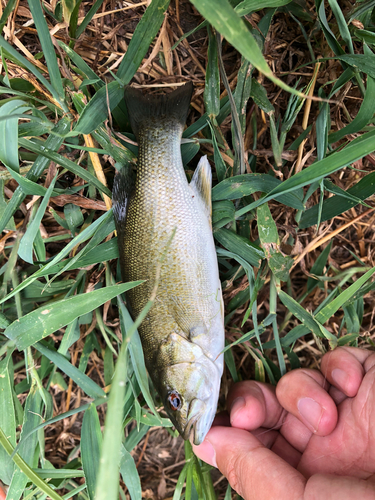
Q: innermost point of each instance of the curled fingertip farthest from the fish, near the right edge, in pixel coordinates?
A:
(343, 369)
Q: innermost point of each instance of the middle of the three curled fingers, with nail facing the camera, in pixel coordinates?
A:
(302, 393)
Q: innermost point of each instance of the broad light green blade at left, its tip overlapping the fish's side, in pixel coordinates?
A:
(51, 317)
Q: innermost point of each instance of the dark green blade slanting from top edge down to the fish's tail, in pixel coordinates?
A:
(143, 35)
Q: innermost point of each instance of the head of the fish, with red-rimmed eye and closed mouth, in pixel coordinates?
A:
(190, 393)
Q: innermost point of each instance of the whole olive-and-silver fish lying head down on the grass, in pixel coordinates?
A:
(165, 238)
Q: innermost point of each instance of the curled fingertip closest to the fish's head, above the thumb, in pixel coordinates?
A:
(252, 405)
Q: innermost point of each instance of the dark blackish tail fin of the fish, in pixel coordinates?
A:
(172, 106)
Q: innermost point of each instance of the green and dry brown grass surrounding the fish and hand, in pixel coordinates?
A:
(292, 218)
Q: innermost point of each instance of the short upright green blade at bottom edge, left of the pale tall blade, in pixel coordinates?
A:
(91, 443)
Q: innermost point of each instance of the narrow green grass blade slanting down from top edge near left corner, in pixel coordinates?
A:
(47, 46)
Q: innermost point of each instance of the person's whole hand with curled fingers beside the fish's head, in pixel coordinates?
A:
(312, 437)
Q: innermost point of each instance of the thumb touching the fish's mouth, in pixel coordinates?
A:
(252, 470)
